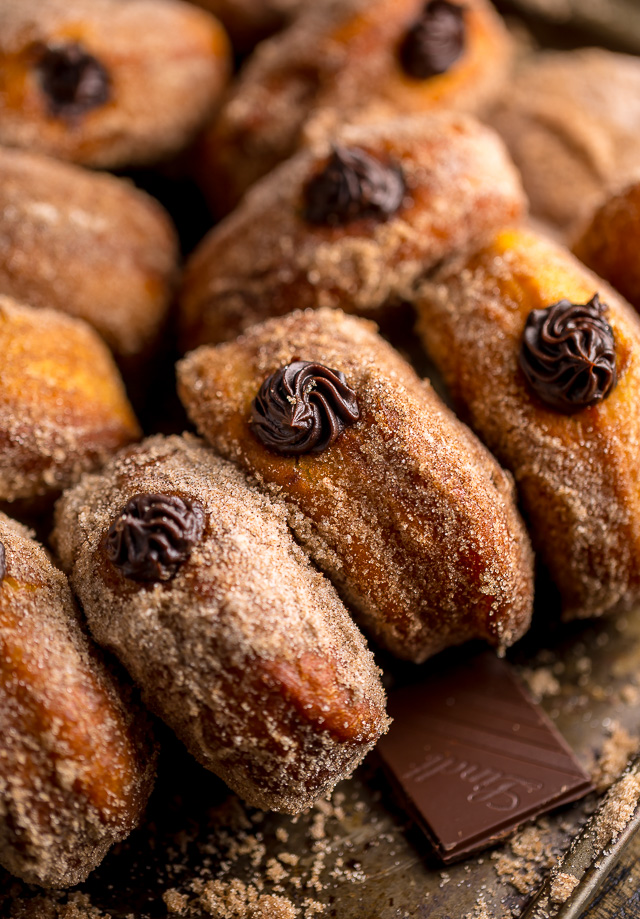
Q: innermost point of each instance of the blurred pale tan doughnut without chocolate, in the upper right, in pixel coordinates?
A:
(571, 121)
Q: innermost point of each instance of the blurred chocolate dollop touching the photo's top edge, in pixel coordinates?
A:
(435, 42)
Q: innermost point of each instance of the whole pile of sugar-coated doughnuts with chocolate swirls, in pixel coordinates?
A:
(227, 578)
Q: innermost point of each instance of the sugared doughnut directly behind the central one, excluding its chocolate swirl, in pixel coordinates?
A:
(265, 259)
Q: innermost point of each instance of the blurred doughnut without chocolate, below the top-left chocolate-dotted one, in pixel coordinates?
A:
(89, 245)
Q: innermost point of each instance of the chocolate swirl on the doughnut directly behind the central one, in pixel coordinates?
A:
(353, 185)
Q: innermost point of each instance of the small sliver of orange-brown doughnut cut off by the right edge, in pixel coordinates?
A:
(608, 242)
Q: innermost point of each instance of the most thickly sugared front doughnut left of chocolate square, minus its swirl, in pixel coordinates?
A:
(247, 653)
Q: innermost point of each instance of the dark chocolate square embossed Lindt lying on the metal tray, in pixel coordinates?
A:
(474, 757)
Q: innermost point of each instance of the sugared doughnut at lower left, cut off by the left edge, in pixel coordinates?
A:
(76, 758)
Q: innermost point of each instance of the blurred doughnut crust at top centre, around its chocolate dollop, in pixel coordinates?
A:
(338, 58)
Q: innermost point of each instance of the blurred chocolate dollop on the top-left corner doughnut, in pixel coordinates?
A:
(73, 80)
